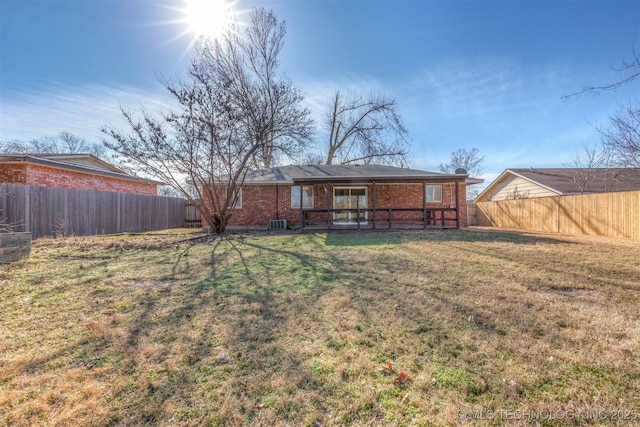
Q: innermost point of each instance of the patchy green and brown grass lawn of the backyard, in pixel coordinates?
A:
(399, 328)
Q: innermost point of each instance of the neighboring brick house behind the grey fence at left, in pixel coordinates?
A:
(77, 171)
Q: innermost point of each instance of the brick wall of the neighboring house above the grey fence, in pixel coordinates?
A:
(43, 176)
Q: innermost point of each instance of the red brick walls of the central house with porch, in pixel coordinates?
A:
(260, 205)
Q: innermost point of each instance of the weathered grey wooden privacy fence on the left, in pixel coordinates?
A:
(46, 211)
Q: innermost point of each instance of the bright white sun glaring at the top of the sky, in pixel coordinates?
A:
(208, 18)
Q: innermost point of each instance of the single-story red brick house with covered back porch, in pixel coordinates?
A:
(351, 196)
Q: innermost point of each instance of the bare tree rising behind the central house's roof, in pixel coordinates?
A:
(365, 130)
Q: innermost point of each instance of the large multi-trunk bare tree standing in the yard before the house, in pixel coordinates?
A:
(236, 112)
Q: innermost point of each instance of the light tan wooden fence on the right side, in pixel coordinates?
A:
(606, 214)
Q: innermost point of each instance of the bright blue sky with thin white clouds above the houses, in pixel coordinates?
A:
(465, 74)
